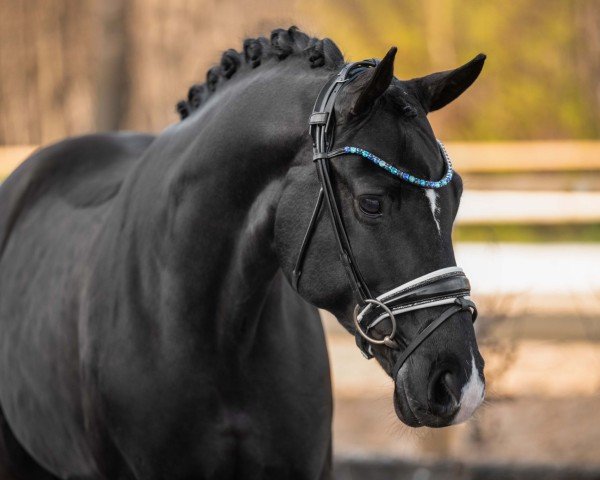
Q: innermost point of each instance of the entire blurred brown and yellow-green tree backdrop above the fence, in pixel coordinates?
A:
(71, 66)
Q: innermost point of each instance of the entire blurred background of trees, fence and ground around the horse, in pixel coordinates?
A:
(525, 137)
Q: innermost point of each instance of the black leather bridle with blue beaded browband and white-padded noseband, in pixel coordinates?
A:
(447, 286)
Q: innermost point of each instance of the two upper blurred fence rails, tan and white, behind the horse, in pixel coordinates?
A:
(493, 202)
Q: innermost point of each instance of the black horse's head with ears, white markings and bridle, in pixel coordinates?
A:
(384, 215)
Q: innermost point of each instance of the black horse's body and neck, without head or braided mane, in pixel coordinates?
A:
(154, 364)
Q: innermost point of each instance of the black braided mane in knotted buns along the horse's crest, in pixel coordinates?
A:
(282, 44)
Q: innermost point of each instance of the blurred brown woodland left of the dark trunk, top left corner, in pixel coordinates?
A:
(46, 83)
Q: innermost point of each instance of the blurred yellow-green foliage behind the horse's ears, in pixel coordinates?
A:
(533, 84)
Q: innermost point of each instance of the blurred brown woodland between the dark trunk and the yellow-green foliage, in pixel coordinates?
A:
(173, 43)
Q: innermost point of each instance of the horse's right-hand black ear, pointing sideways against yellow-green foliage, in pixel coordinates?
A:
(439, 89)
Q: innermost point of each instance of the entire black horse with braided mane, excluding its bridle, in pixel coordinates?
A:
(148, 324)
